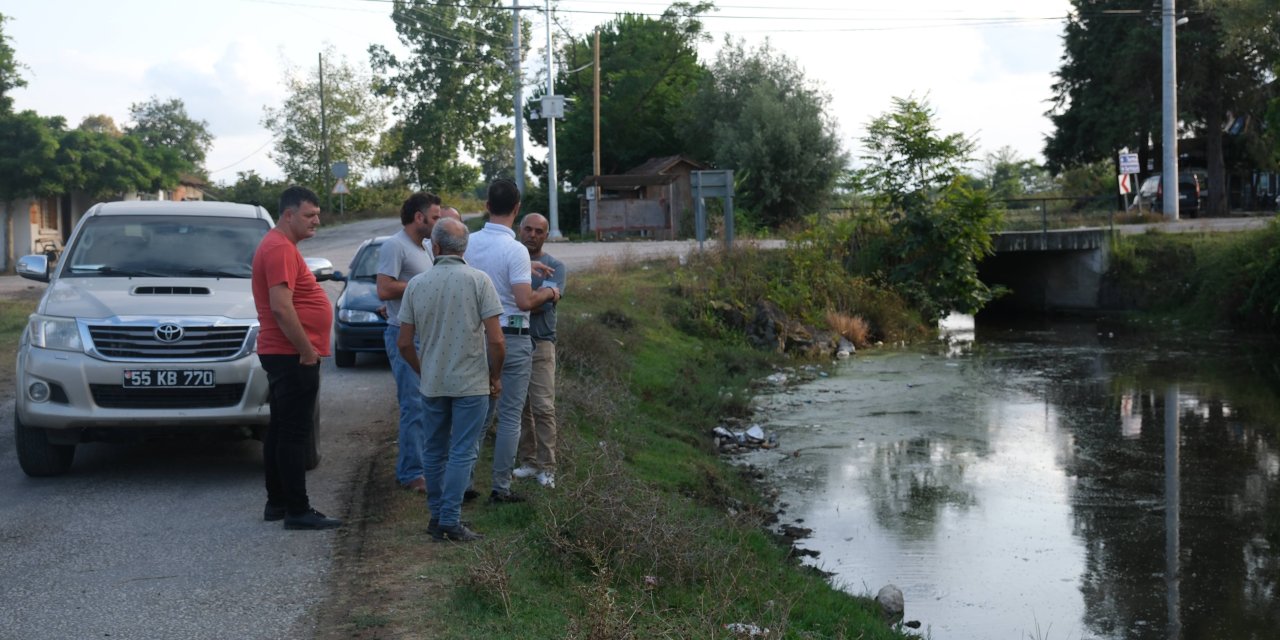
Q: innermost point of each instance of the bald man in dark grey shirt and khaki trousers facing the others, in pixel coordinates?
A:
(537, 452)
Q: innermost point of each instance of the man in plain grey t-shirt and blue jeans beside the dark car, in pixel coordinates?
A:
(400, 259)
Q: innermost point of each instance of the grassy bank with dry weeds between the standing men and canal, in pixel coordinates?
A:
(650, 533)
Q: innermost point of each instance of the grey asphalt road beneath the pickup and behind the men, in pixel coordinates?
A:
(166, 541)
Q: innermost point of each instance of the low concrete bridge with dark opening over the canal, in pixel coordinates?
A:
(1062, 269)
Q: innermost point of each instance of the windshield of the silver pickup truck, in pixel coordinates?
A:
(166, 248)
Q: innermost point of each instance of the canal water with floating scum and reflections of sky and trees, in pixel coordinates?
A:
(1023, 483)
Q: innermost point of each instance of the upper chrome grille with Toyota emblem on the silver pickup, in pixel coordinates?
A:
(141, 344)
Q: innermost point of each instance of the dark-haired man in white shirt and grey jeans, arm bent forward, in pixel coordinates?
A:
(496, 252)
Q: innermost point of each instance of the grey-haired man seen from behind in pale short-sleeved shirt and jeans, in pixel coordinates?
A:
(450, 322)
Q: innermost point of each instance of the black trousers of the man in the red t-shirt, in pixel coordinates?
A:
(294, 395)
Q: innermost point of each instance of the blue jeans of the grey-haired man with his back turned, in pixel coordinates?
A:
(454, 428)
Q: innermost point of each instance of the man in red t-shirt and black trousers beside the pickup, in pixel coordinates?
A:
(294, 317)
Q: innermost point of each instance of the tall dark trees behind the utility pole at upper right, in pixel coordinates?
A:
(1109, 86)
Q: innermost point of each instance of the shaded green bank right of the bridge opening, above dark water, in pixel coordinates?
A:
(1224, 281)
